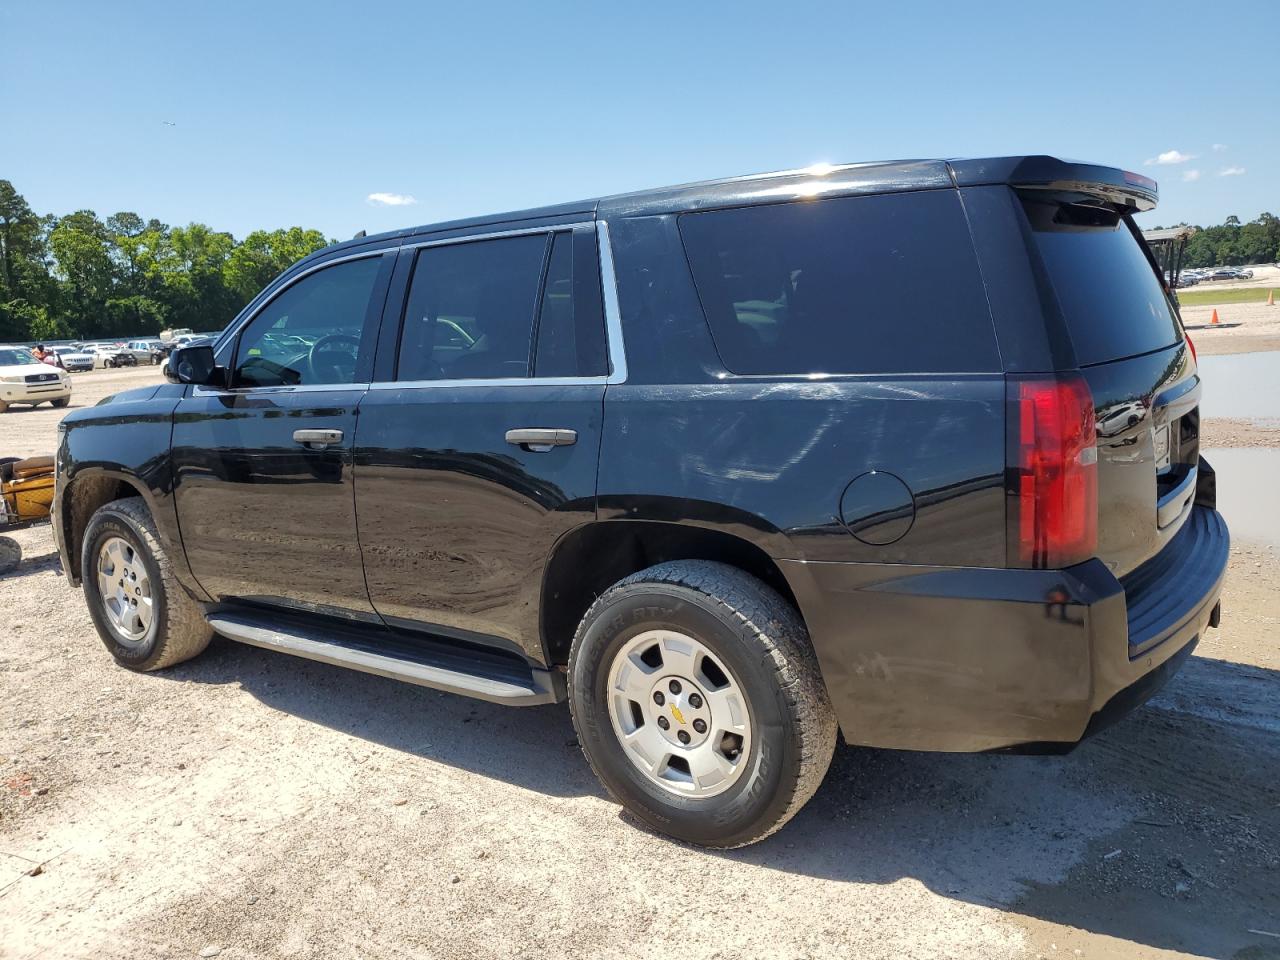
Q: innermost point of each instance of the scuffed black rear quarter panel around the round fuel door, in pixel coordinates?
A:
(769, 461)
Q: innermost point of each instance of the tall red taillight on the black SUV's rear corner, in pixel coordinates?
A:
(1054, 472)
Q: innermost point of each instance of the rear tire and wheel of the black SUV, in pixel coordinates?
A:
(761, 651)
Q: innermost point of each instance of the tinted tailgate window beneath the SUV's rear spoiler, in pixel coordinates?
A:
(1110, 295)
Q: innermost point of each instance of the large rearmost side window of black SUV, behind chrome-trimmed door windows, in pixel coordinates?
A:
(885, 285)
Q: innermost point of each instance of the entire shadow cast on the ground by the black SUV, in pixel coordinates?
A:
(1162, 831)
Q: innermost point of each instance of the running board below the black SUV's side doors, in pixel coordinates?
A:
(438, 665)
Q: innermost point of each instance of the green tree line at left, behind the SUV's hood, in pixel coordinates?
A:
(80, 277)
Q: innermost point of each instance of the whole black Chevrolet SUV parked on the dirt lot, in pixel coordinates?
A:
(906, 450)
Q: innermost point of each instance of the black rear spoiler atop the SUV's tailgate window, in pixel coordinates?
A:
(1127, 190)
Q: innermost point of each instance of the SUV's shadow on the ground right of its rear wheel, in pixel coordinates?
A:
(1162, 831)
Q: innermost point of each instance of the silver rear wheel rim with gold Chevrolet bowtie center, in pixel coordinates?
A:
(680, 715)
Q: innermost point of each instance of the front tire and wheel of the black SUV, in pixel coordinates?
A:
(177, 629)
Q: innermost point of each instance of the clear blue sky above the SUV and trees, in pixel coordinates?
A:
(296, 113)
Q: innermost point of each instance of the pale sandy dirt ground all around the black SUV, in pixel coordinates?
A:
(249, 804)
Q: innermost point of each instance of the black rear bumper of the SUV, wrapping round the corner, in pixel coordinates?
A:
(966, 660)
